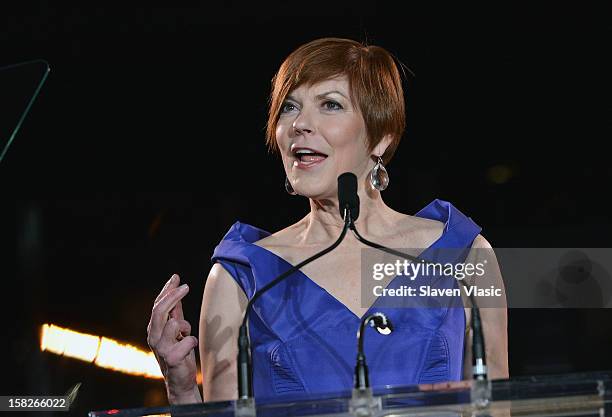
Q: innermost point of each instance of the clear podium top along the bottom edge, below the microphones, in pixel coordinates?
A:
(574, 394)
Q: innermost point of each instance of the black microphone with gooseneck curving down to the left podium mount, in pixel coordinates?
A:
(349, 210)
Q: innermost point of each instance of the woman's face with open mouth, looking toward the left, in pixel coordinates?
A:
(321, 135)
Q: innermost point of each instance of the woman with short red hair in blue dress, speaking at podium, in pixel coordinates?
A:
(336, 106)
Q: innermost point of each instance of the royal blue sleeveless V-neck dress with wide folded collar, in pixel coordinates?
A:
(303, 340)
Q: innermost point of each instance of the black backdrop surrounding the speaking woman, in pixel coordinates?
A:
(147, 142)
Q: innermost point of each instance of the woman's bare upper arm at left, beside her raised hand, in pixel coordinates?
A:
(223, 306)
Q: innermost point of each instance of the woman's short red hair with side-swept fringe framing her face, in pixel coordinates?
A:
(374, 82)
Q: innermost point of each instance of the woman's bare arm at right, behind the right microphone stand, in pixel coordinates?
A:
(494, 319)
